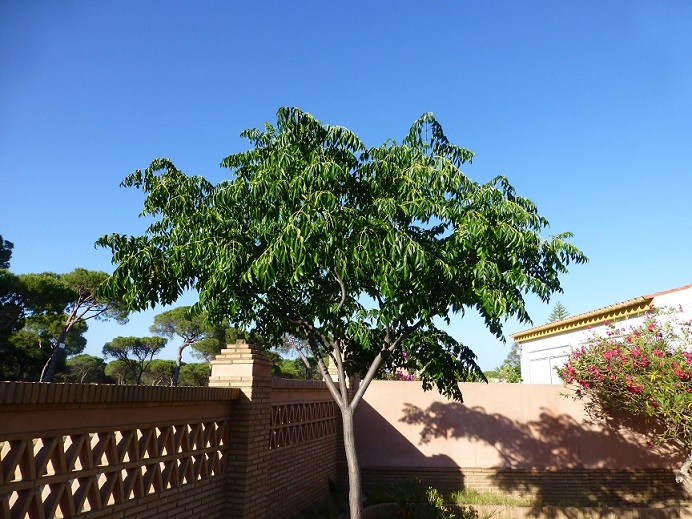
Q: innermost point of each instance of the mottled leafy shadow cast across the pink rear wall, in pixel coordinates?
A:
(554, 458)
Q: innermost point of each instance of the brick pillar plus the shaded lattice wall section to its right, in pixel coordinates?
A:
(287, 437)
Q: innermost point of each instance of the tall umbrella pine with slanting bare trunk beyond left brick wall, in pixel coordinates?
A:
(83, 306)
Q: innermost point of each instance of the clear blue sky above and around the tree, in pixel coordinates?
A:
(585, 106)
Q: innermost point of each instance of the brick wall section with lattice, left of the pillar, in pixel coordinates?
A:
(89, 451)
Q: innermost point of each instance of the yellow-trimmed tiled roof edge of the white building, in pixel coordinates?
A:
(621, 310)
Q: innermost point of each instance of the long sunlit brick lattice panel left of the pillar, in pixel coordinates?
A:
(70, 473)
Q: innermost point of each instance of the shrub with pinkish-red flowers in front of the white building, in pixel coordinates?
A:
(644, 372)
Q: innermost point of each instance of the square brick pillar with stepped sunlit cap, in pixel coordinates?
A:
(244, 366)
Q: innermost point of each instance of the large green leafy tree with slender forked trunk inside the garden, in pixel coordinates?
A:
(357, 250)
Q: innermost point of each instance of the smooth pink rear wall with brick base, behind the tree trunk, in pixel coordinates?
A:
(519, 438)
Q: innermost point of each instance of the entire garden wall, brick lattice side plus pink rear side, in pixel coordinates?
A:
(253, 447)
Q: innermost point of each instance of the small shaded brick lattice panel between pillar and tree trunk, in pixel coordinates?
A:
(301, 422)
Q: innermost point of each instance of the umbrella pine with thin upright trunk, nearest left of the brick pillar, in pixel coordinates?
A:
(191, 328)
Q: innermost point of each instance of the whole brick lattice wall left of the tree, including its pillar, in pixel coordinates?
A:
(249, 447)
